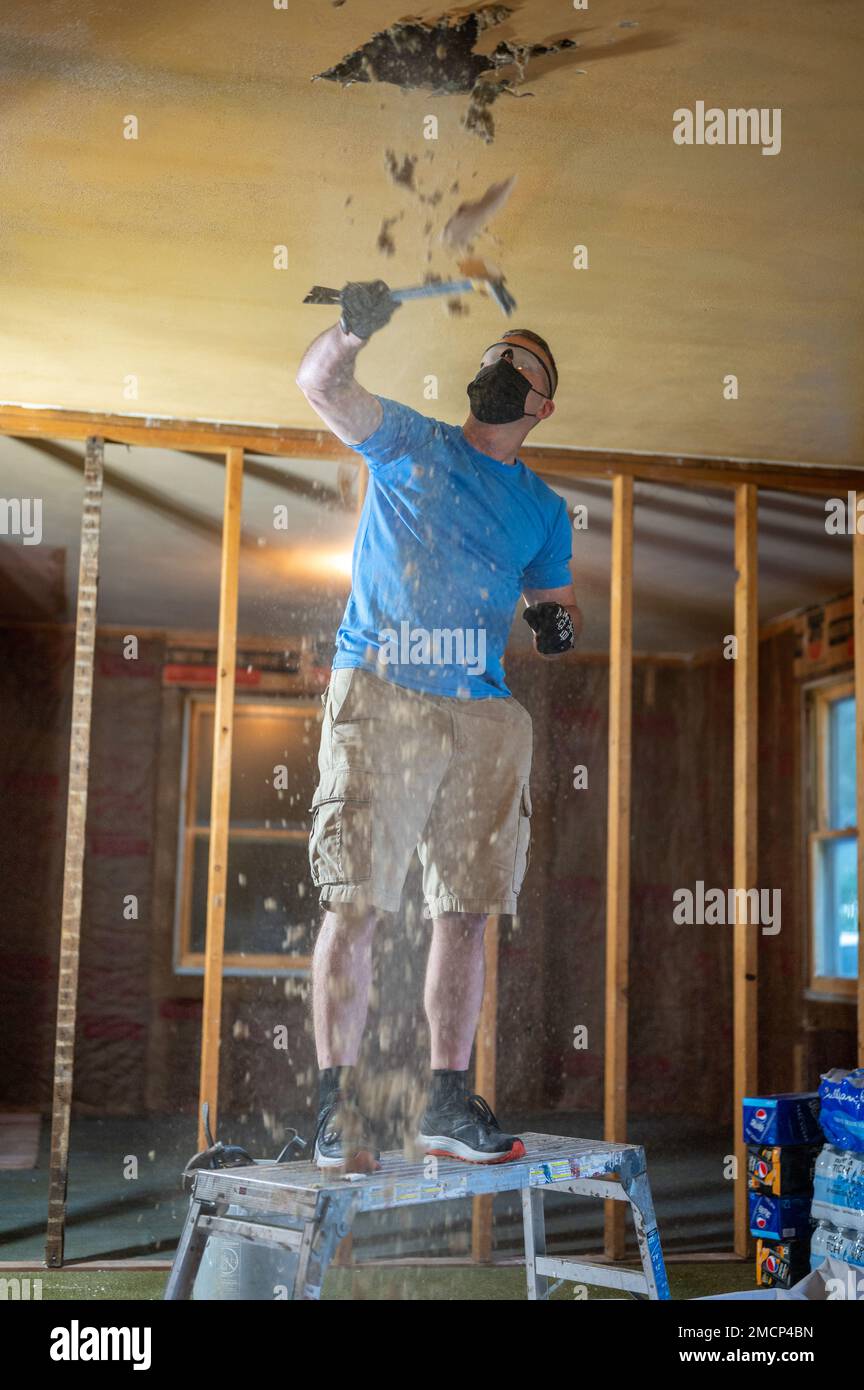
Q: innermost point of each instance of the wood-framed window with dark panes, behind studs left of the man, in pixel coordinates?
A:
(272, 913)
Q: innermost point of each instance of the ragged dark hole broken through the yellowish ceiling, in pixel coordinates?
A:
(440, 56)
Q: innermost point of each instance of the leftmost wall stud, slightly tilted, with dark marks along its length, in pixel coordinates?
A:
(74, 854)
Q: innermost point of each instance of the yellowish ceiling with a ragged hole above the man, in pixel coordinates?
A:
(147, 276)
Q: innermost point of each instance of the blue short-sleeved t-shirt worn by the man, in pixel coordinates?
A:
(448, 540)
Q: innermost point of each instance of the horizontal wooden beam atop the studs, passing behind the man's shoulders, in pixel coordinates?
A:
(169, 433)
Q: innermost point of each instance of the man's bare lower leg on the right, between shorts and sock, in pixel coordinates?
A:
(456, 975)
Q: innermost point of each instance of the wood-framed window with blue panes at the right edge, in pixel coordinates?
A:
(834, 840)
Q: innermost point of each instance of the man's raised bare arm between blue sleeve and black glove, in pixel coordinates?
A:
(327, 380)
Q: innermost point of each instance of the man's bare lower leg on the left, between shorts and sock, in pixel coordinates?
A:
(342, 974)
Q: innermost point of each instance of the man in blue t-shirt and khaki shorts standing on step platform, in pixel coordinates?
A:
(423, 746)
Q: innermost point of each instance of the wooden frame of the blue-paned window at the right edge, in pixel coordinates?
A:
(819, 698)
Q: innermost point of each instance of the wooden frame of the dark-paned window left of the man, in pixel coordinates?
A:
(188, 963)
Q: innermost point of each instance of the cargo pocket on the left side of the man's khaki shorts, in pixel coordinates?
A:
(341, 837)
